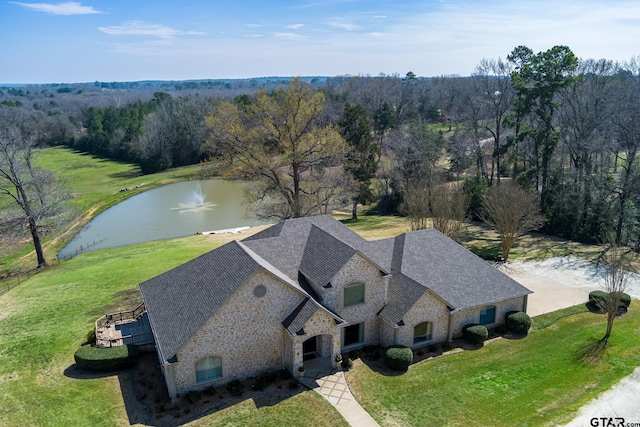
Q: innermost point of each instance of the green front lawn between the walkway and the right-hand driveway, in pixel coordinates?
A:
(533, 381)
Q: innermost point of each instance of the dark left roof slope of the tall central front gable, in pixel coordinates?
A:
(324, 255)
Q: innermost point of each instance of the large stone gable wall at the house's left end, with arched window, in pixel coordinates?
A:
(246, 333)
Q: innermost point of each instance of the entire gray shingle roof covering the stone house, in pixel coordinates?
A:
(181, 300)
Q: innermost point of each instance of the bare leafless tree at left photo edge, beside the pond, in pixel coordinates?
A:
(34, 190)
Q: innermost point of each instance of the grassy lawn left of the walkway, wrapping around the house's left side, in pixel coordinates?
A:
(44, 321)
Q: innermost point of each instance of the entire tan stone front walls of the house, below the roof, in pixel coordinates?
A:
(247, 334)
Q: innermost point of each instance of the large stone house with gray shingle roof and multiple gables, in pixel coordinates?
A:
(312, 288)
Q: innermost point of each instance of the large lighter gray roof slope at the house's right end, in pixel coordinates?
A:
(456, 275)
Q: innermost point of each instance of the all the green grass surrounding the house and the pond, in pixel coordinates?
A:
(533, 381)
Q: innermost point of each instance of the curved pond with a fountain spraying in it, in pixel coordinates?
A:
(170, 211)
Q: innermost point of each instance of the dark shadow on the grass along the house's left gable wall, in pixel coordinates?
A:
(147, 402)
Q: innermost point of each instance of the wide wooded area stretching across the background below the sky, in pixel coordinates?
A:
(564, 129)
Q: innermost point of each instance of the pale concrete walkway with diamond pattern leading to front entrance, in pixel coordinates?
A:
(332, 385)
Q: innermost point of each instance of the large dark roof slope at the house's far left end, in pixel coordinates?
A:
(181, 300)
